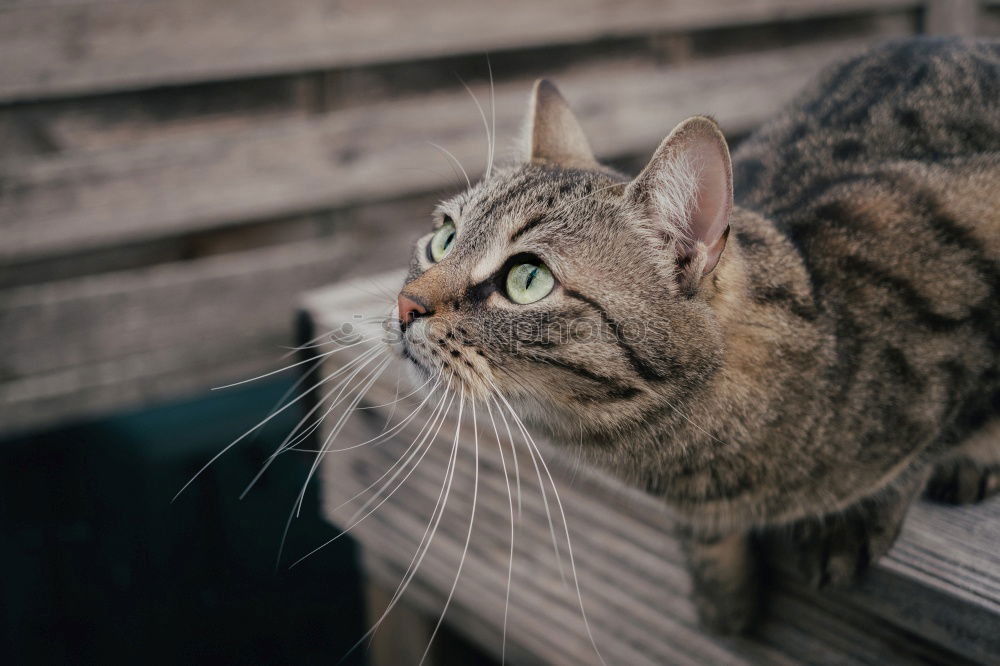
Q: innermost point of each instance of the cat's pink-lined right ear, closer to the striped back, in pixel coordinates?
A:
(687, 193)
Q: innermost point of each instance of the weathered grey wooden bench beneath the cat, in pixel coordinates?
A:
(934, 599)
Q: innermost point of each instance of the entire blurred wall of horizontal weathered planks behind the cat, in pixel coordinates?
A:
(174, 172)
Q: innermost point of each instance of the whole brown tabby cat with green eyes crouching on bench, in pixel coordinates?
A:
(787, 346)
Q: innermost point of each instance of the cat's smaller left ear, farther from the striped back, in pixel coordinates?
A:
(552, 133)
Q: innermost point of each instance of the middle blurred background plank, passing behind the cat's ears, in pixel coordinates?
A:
(151, 189)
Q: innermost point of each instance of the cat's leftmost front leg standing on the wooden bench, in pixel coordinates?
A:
(725, 577)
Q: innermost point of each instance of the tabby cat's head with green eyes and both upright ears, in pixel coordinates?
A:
(580, 296)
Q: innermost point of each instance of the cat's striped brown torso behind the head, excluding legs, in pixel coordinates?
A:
(863, 318)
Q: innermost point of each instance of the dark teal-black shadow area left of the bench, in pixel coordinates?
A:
(100, 567)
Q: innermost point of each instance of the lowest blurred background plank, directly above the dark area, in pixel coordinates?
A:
(130, 338)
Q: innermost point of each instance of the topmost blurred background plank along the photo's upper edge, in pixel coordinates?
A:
(56, 48)
